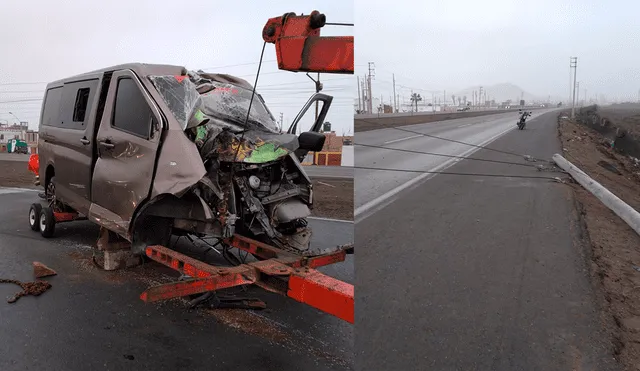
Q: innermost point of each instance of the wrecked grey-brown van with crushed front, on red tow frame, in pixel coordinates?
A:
(148, 151)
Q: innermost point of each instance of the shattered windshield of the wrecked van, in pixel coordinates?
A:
(192, 99)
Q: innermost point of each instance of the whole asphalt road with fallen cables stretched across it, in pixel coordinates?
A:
(473, 272)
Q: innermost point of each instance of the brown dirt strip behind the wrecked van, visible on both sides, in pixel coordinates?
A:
(333, 198)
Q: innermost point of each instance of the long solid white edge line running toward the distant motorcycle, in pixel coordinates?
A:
(379, 202)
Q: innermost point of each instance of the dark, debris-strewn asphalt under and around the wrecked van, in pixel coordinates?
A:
(94, 320)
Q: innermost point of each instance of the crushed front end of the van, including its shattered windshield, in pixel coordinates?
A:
(255, 184)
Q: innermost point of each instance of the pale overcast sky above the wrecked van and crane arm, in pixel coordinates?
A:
(43, 40)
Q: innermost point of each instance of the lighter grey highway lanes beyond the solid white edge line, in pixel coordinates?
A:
(376, 188)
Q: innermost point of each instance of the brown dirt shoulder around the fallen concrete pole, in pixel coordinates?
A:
(615, 247)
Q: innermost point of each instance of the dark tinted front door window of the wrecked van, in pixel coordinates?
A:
(131, 112)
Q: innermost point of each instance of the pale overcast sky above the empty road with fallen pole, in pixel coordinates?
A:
(451, 45)
